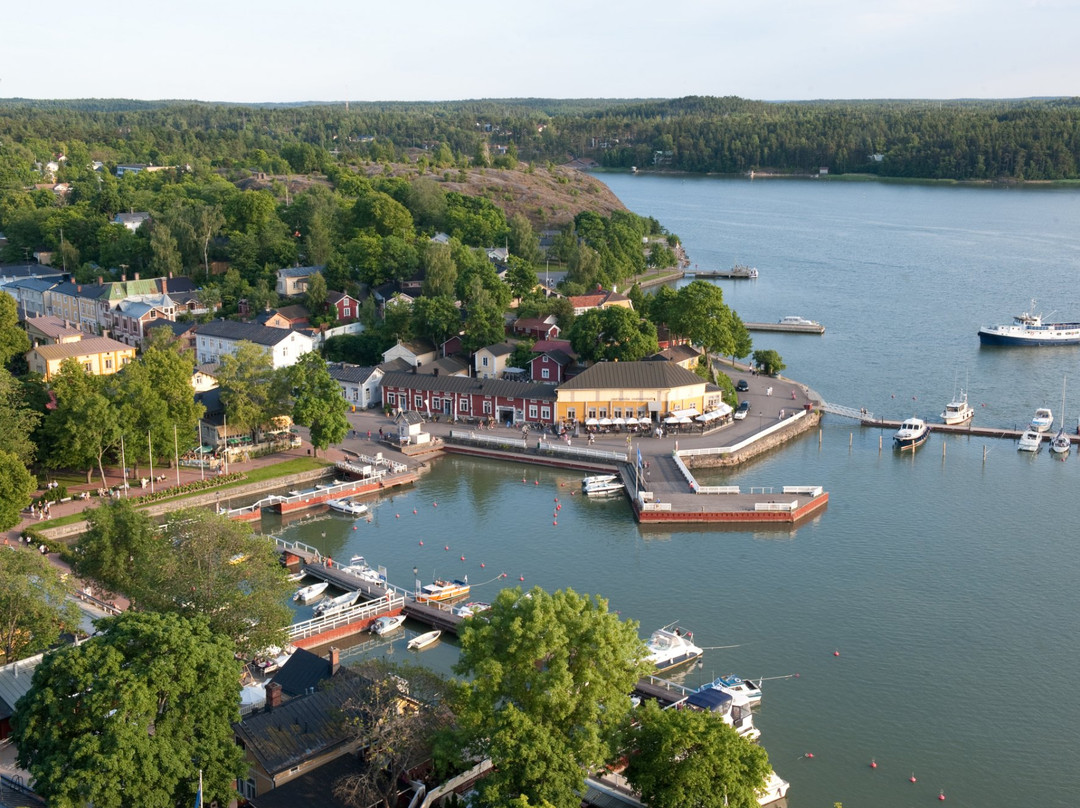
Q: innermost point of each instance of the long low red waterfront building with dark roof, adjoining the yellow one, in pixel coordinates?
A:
(469, 399)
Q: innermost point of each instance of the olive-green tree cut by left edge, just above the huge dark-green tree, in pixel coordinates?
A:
(34, 604)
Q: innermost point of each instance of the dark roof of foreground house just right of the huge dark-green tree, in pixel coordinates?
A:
(304, 728)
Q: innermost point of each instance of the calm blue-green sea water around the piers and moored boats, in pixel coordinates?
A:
(947, 582)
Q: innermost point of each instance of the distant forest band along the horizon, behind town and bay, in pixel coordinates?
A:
(1027, 140)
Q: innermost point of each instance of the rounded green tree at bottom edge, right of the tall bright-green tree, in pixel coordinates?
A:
(687, 758)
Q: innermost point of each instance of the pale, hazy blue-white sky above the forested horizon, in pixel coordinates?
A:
(374, 50)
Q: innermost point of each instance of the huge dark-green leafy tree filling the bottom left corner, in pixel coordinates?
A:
(131, 717)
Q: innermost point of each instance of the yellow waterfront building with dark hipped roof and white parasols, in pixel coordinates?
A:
(634, 389)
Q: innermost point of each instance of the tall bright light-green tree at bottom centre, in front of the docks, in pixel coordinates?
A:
(549, 678)
